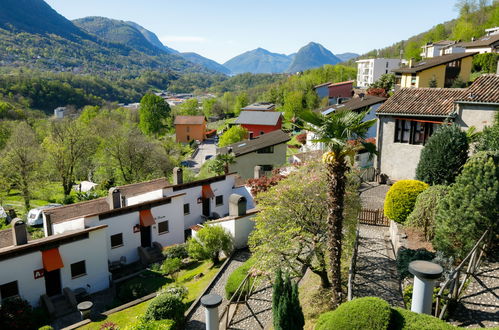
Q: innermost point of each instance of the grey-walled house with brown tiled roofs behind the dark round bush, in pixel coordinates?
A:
(411, 115)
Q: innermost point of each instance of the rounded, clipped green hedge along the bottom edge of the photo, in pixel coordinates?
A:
(376, 314)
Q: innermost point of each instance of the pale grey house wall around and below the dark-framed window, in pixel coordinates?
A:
(397, 160)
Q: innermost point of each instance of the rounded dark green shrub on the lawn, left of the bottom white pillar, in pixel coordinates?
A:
(166, 306)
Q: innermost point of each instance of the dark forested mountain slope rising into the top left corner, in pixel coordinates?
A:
(34, 35)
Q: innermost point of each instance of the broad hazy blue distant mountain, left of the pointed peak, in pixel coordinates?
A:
(258, 61)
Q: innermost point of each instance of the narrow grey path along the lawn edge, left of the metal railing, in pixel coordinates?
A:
(197, 319)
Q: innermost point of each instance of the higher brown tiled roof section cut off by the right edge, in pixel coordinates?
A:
(485, 89)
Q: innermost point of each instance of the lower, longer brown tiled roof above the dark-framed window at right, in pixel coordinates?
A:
(422, 101)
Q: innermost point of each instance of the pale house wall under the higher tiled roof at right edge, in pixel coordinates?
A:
(478, 115)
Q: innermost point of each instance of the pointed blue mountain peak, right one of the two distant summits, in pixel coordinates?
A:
(312, 55)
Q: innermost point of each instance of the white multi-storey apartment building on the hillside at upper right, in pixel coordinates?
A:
(370, 70)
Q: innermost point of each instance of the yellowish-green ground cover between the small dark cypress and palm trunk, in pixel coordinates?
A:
(313, 300)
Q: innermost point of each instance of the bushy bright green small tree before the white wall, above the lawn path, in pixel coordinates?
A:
(209, 242)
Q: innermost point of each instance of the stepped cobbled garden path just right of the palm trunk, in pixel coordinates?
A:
(376, 270)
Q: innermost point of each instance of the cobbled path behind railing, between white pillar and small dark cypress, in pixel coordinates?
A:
(256, 313)
